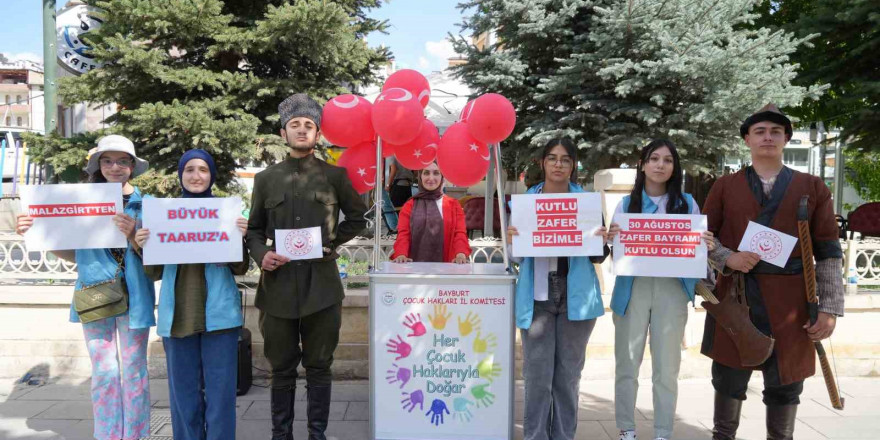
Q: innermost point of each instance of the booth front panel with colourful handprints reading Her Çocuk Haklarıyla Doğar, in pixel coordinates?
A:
(442, 361)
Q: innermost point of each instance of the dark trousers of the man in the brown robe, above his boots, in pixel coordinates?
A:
(733, 382)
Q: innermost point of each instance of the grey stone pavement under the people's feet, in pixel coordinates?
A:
(62, 410)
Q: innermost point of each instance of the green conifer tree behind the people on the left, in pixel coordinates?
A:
(210, 73)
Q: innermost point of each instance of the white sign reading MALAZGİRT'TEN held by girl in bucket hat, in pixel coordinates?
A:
(72, 216)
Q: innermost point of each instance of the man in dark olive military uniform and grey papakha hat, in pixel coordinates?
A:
(300, 301)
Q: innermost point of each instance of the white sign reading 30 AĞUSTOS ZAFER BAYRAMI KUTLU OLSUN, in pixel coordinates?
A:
(665, 245)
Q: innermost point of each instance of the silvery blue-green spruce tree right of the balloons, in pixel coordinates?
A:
(613, 74)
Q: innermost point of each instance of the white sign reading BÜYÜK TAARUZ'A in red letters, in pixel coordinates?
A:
(192, 230)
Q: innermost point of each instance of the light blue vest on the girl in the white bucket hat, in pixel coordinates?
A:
(97, 265)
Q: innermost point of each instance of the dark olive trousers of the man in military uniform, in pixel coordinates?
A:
(310, 339)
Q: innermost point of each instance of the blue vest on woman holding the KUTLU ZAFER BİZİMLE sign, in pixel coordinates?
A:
(584, 294)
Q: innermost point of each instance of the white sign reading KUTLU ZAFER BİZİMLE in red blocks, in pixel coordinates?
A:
(556, 225)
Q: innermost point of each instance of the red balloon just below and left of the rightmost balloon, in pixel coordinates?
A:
(463, 159)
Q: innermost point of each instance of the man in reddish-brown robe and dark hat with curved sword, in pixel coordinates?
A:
(769, 193)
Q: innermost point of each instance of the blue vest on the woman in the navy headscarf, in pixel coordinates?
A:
(223, 306)
